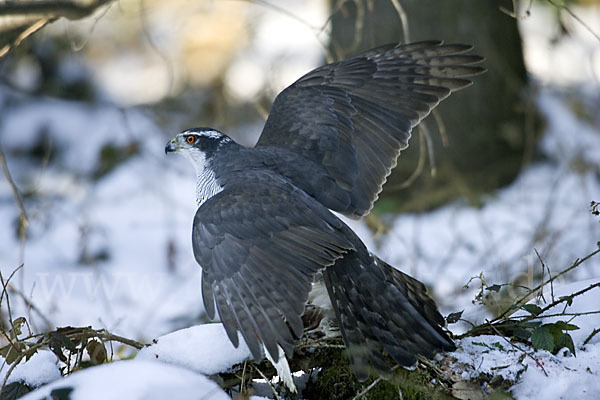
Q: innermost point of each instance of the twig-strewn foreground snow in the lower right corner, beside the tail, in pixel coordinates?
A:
(542, 375)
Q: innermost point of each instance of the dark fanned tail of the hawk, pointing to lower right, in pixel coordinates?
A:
(380, 308)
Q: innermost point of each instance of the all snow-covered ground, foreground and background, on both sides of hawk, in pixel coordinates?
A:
(114, 252)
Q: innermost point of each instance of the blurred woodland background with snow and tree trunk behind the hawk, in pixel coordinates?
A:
(90, 94)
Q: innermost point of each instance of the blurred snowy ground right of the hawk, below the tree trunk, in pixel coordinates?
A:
(545, 209)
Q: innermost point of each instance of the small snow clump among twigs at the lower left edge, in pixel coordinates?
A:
(39, 370)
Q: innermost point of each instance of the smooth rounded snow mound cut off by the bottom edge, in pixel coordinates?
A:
(134, 380)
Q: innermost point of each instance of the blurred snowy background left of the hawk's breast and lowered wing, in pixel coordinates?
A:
(138, 216)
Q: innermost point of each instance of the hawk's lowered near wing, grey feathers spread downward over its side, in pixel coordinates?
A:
(260, 246)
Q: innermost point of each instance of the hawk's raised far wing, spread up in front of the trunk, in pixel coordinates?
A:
(354, 117)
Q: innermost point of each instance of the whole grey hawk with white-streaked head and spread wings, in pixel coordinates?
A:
(264, 232)
